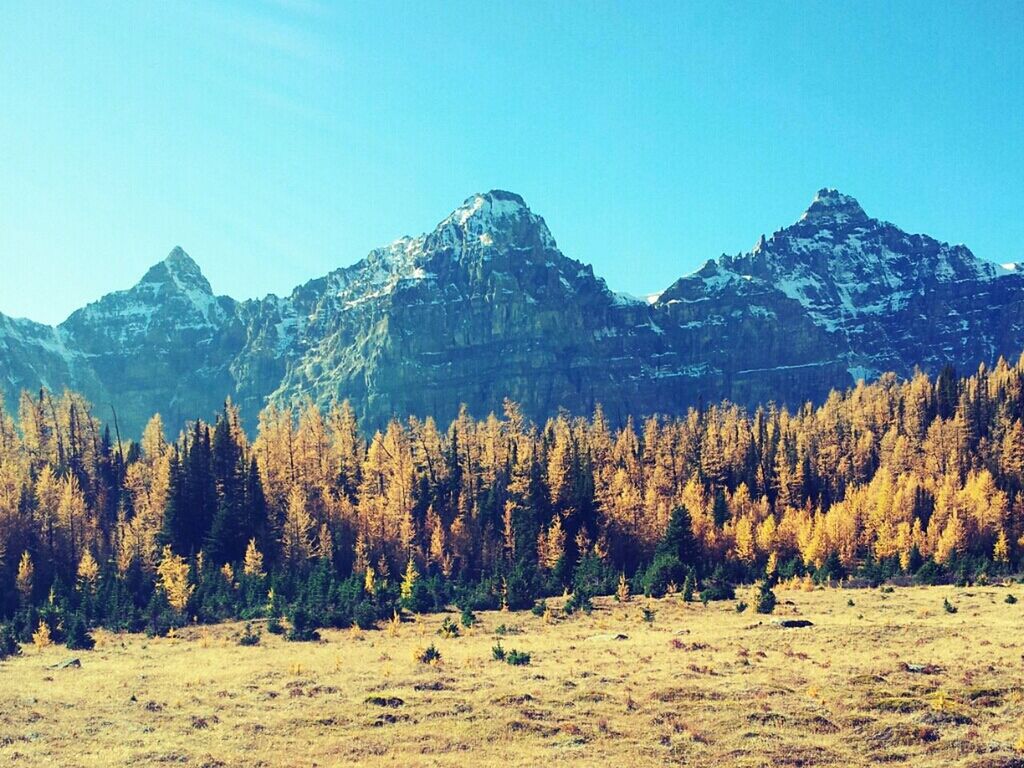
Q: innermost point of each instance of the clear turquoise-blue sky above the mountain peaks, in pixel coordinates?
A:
(277, 142)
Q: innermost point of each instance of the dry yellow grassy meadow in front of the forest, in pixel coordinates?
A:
(889, 678)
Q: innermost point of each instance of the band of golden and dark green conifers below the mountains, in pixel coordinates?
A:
(315, 522)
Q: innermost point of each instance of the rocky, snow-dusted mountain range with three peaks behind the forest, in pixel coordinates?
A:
(487, 308)
